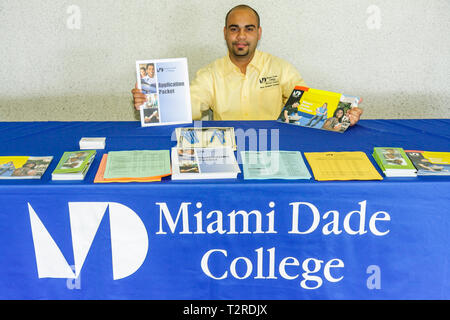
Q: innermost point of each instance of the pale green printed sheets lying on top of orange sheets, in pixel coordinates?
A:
(133, 166)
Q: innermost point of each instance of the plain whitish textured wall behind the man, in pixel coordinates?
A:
(395, 54)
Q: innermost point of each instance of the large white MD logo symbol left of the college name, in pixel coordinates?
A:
(129, 240)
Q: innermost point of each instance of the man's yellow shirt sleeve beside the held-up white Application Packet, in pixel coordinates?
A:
(202, 93)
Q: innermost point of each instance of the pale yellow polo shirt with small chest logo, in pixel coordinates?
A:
(260, 94)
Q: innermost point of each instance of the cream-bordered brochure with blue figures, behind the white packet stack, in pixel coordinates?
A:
(206, 137)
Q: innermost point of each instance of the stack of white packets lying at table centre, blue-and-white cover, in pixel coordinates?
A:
(204, 163)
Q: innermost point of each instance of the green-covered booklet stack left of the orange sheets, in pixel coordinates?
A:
(73, 165)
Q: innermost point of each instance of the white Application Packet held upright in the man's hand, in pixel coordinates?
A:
(165, 83)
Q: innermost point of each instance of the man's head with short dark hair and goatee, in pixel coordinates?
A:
(242, 33)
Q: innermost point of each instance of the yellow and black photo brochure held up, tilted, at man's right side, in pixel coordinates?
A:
(319, 109)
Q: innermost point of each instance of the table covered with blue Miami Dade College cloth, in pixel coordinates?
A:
(225, 239)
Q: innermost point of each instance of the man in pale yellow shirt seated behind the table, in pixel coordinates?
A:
(246, 84)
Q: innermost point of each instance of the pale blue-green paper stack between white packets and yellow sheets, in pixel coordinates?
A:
(274, 165)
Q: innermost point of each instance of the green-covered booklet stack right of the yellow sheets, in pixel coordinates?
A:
(394, 162)
